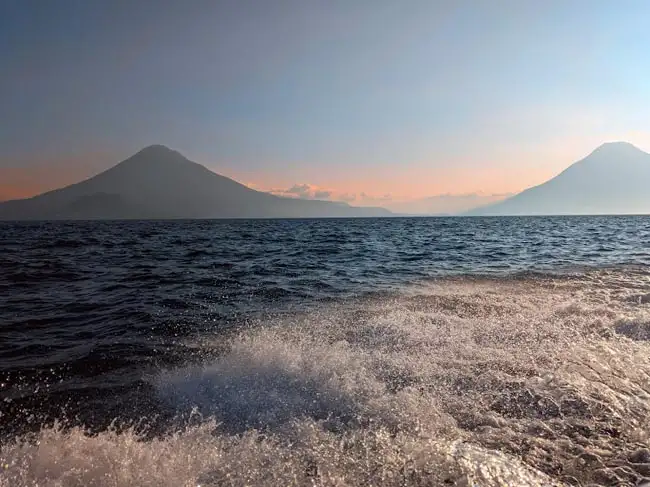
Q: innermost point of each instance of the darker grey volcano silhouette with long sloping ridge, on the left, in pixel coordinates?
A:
(158, 182)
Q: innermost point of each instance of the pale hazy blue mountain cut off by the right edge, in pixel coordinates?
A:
(613, 179)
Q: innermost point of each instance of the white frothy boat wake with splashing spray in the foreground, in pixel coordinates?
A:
(521, 381)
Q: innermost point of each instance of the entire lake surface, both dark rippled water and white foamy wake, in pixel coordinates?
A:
(326, 352)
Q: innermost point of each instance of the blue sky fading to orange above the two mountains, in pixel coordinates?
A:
(366, 101)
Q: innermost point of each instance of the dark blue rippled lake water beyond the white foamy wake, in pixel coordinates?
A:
(87, 309)
